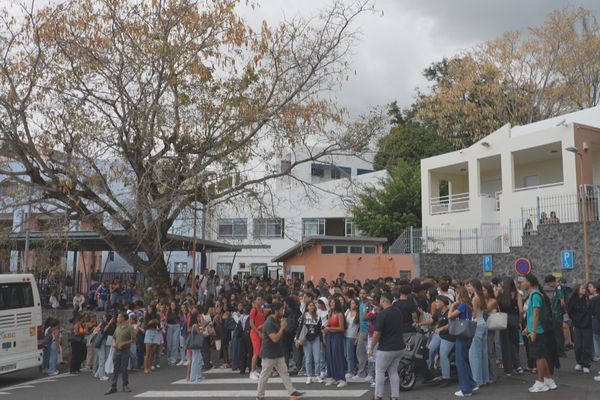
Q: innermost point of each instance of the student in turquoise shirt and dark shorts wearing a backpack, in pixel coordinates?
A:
(538, 319)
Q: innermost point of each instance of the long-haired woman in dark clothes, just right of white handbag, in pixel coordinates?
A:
(510, 302)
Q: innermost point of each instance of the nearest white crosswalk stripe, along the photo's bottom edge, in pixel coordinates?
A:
(326, 394)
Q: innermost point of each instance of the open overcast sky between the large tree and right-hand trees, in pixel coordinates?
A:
(412, 34)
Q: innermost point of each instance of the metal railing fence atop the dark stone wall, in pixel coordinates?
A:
(499, 238)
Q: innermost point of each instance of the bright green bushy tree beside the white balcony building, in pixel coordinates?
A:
(388, 211)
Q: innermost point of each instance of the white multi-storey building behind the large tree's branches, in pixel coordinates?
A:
(310, 202)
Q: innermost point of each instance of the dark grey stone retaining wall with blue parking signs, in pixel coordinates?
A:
(541, 249)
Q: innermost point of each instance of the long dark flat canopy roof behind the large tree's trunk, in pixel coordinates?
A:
(93, 241)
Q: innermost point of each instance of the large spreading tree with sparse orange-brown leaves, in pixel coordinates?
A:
(126, 112)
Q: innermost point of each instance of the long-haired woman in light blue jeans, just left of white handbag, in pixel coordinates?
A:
(478, 357)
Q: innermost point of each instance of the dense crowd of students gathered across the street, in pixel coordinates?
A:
(336, 332)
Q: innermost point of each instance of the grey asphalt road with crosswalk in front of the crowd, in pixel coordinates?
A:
(168, 383)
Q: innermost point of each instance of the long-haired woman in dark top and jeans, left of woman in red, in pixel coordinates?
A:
(312, 342)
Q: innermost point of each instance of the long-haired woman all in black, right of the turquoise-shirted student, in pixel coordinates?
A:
(581, 315)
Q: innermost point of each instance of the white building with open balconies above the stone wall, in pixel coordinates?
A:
(497, 181)
